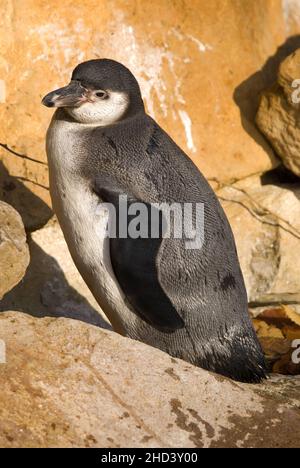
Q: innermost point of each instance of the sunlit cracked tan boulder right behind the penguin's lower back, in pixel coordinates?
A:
(265, 218)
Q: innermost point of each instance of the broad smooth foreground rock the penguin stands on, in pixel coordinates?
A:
(68, 384)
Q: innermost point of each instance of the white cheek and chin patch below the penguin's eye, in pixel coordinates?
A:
(101, 112)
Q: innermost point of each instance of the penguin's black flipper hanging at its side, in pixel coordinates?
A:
(134, 264)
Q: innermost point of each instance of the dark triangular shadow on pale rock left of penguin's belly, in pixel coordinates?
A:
(45, 291)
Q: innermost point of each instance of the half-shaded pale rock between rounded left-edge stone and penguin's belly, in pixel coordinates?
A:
(52, 285)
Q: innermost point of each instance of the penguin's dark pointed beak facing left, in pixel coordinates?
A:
(72, 95)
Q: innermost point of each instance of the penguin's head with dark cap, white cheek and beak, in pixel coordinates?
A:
(101, 92)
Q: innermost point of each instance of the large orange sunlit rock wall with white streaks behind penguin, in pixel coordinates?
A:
(197, 62)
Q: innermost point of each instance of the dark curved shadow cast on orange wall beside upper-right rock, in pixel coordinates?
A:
(247, 94)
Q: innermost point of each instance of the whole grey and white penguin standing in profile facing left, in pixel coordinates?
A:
(191, 303)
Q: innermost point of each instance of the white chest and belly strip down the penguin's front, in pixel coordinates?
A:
(83, 221)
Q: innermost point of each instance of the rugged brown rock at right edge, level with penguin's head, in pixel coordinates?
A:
(278, 114)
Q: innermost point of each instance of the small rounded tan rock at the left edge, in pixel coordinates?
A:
(14, 253)
